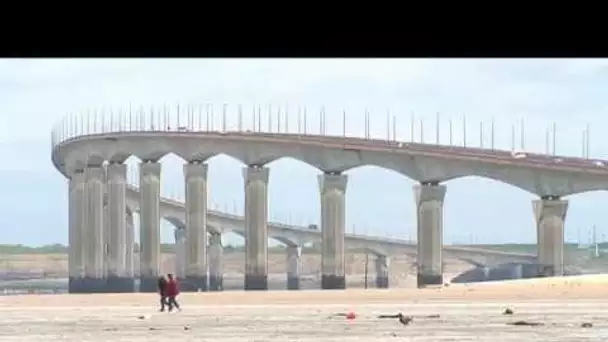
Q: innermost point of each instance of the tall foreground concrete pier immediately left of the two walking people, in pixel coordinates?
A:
(149, 231)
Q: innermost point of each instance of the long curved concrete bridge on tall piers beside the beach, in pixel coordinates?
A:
(94, 163)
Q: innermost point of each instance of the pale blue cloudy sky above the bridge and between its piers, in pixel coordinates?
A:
(34, 94)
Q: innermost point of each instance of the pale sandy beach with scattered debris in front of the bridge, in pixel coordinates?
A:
(467, 313)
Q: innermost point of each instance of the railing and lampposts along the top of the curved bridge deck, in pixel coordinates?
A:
(276, 120)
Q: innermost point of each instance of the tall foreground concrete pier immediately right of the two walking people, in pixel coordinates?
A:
(195, 174)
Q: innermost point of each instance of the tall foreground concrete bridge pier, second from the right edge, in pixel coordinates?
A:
(429, 203)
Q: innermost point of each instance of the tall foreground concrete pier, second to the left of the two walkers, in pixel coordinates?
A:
(117, 279)
